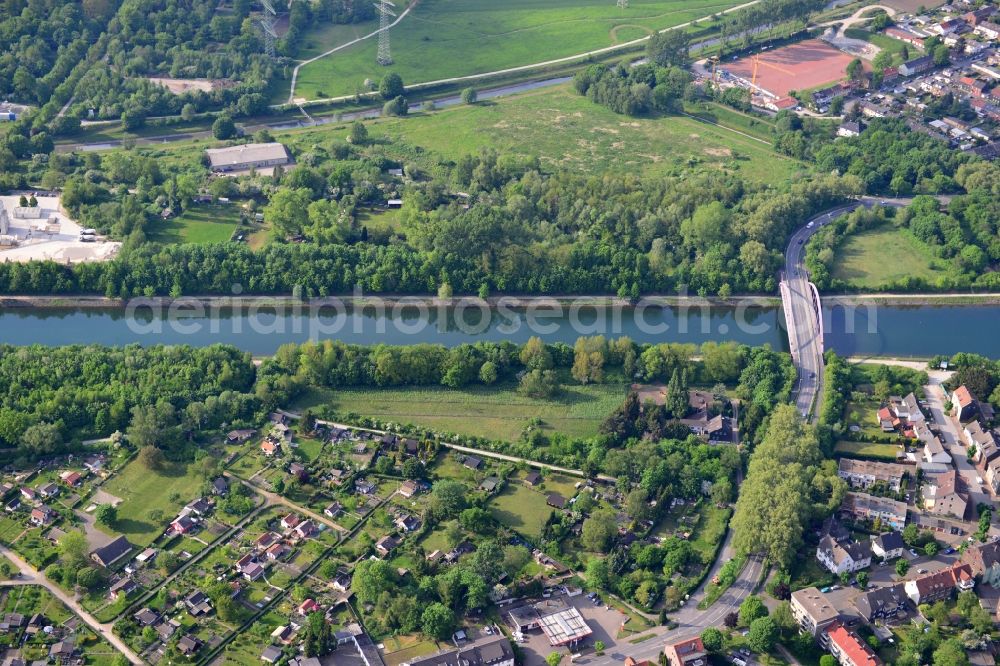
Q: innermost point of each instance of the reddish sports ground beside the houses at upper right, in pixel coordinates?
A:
(802, 66)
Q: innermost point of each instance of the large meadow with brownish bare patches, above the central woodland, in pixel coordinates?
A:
(567, 131)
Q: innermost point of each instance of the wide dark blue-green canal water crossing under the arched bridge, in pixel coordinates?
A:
(906, 331)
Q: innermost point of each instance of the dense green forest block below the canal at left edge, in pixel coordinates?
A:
(51, 396)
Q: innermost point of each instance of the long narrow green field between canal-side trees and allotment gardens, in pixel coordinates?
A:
(495, 412)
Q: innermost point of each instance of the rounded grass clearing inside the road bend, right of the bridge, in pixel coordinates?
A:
(877, 257)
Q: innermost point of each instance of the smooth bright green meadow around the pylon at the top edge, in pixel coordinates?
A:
(447, 38)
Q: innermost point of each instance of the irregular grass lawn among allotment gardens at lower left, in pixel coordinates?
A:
(143, 491)
